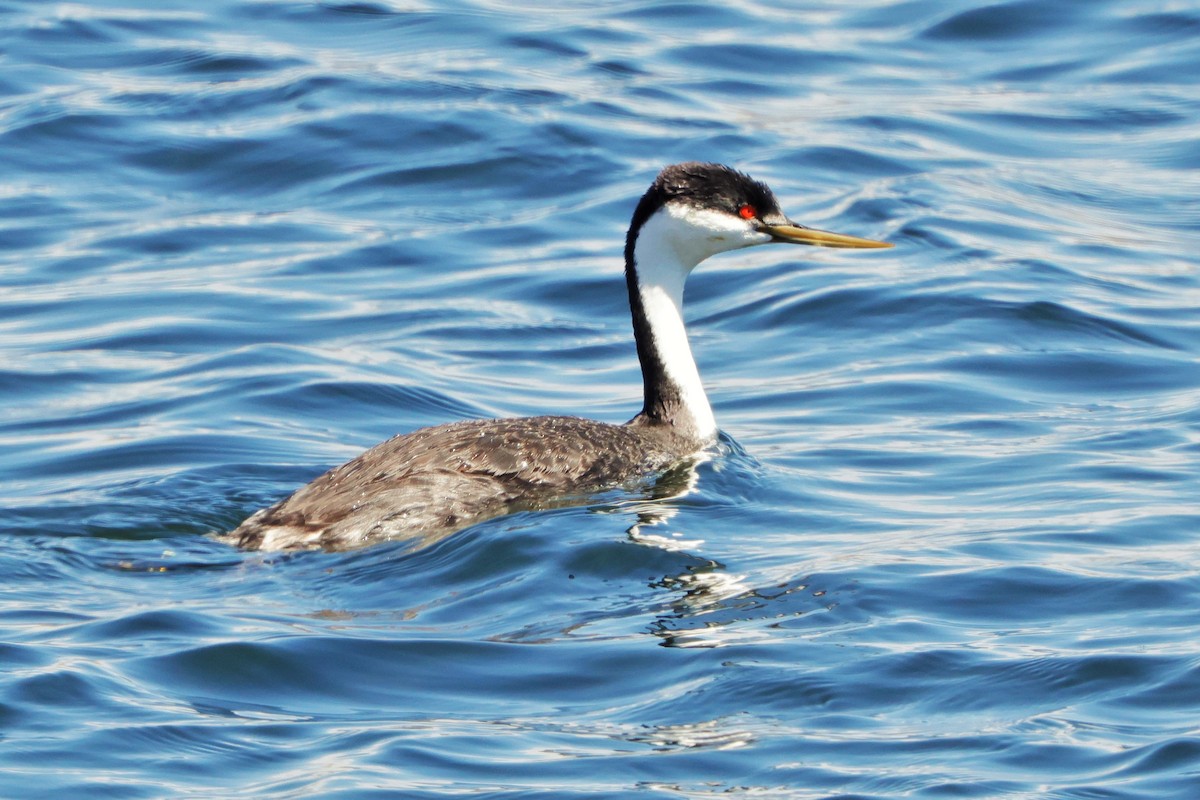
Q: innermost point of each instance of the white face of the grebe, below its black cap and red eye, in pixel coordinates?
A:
(694, 234)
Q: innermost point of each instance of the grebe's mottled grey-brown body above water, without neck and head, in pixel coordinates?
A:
(439, 480)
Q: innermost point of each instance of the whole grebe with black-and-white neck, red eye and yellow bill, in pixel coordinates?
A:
(439, 480)
